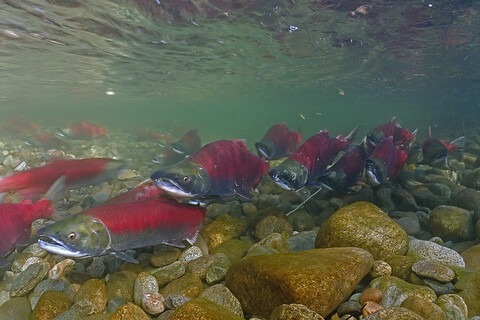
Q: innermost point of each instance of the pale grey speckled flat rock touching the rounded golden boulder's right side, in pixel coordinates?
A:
(431, 251)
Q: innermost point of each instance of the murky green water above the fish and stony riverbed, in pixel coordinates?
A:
(232, 68)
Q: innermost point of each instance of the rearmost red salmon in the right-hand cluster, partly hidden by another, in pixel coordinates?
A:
(402, 138)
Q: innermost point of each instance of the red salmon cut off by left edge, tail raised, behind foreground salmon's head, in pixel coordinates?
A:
(15, 228)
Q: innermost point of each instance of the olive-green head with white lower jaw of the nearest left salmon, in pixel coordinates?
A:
(78, 236)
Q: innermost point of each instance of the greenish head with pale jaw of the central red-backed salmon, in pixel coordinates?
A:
(186, 179)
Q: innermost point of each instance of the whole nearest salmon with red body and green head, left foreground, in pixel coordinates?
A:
(114, 228)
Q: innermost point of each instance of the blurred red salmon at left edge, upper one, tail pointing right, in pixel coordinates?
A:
(78, 173)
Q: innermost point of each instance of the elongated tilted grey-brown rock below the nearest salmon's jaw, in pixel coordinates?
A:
(28, 279)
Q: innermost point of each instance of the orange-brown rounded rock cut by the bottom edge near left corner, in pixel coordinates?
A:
(51, 304)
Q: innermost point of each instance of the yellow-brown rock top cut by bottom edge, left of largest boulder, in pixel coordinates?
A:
(202, 309)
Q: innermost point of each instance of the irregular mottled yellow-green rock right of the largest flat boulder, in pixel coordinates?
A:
(395, 290)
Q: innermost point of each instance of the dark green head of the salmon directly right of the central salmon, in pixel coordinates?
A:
(289, 175)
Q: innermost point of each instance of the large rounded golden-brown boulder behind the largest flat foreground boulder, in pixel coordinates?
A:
(363, 225)
